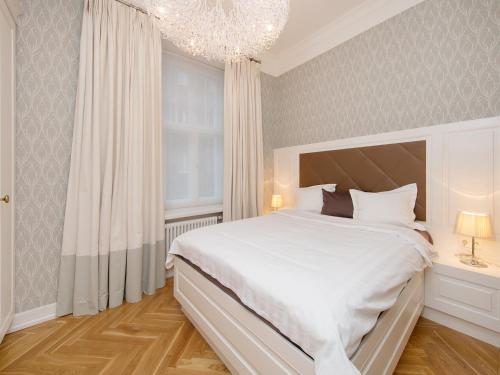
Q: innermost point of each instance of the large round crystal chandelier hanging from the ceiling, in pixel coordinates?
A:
(223, 30)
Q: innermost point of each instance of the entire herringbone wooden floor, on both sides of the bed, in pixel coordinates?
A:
(154, 337)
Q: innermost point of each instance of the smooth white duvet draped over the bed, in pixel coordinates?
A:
(321, 280)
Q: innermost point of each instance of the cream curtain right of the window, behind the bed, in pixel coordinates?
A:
(243, 154)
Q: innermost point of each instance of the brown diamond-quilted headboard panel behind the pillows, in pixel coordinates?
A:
(374, 169)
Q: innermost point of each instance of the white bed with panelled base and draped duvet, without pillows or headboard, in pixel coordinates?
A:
(321, 281)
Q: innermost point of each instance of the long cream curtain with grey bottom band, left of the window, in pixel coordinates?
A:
(113, 242)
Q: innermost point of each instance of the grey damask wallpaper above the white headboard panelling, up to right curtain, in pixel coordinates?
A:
(438, 62)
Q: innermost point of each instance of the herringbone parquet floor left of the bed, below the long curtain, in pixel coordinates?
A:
(149, 337)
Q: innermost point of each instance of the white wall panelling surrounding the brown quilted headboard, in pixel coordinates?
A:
(463, 161)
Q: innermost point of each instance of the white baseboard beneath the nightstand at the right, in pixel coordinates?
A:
(460, 325)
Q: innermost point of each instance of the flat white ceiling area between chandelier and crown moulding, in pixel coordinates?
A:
(308, 16)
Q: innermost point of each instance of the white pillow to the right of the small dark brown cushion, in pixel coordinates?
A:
(393, 207)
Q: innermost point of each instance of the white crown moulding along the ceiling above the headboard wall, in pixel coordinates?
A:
(363, 17)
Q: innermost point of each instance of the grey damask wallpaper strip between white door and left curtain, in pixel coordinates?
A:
(48, 44)
